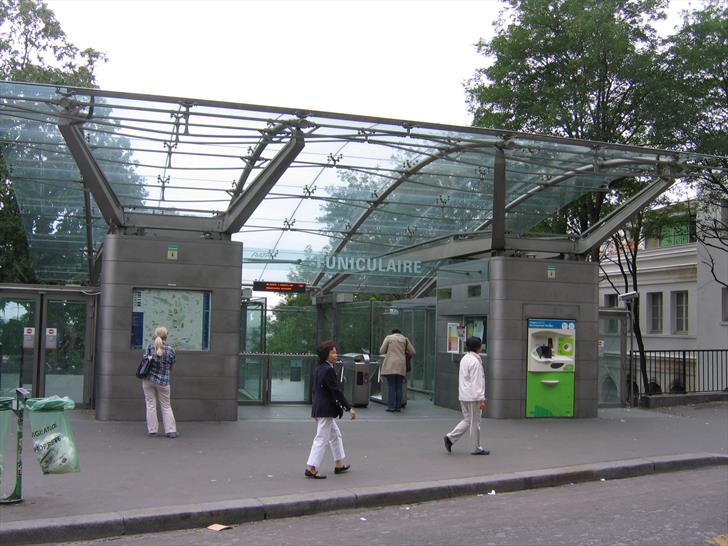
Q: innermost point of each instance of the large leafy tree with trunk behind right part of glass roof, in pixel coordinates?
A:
(584, 69)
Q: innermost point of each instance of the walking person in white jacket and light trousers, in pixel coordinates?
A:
(472, 397)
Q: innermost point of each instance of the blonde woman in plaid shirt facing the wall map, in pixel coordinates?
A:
(156, 384)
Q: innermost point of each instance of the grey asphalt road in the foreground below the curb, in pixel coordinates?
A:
(673, 509)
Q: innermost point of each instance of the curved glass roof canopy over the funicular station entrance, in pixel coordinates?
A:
(357, 187)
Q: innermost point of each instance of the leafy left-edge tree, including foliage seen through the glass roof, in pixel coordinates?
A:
(34, 48)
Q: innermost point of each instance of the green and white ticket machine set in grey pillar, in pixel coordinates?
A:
(551, 361)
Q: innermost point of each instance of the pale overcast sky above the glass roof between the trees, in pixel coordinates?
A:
(397, 59)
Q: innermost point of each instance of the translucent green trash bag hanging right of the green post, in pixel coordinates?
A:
(50, 430)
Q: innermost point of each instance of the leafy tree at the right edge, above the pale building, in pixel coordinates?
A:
(695, 117)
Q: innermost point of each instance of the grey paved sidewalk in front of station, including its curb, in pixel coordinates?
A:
(253, 468)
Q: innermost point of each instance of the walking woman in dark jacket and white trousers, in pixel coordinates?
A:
(328, 403)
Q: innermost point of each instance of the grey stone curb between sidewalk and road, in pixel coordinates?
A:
(175, 518)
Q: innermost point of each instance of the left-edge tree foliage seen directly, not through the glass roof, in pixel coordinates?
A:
(33, 48)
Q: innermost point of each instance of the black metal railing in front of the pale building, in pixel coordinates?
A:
(702, 370)
